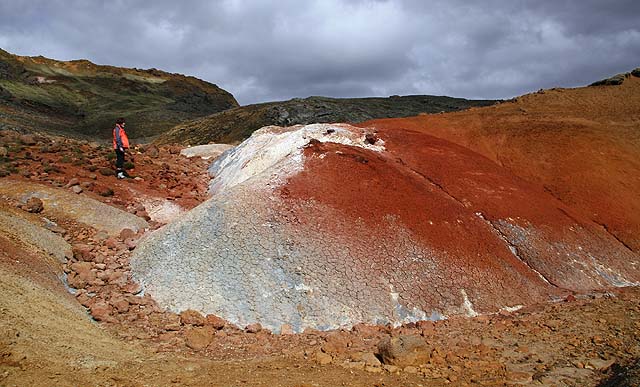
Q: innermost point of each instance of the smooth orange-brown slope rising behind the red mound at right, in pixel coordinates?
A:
(581, 145)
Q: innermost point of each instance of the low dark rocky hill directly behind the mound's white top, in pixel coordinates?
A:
(237, 124)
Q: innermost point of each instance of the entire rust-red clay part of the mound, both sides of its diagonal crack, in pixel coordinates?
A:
(493, 233)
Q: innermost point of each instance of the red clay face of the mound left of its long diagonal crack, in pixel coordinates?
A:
(391, 199)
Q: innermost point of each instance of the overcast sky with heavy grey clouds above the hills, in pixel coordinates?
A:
(274, 50)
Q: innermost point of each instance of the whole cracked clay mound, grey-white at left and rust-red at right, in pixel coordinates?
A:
(325, 226)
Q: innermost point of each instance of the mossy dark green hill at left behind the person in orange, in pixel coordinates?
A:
(82, 99)
